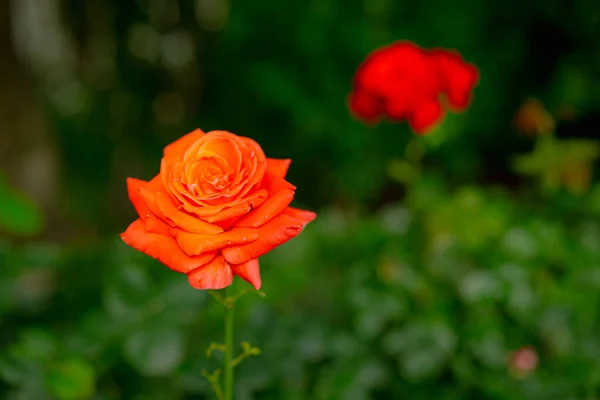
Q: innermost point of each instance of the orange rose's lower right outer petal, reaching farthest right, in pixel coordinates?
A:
(281, 229)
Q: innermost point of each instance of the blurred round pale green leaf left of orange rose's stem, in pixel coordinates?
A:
(156, 351)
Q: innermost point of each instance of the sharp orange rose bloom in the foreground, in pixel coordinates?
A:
(216, 206)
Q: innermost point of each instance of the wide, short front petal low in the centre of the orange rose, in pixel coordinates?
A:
(197, 243)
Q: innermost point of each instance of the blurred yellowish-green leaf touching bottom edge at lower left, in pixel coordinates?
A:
(71, 379)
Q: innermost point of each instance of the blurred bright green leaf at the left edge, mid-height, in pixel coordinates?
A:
(18, 214)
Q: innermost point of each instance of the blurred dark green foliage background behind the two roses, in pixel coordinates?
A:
(431, 261)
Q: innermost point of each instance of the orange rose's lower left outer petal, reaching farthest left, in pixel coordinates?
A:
(163, 248)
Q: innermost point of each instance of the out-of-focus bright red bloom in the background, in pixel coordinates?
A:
(402, 81)
